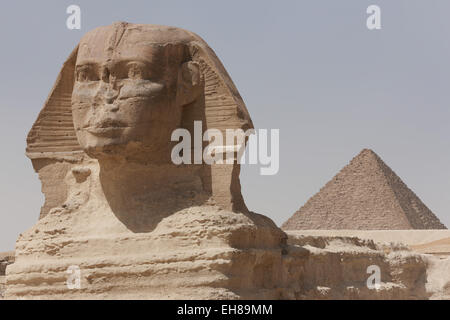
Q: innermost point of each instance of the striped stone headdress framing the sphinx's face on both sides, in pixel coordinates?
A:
(53, 147)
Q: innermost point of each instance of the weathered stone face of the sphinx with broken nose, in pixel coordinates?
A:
(125, 89)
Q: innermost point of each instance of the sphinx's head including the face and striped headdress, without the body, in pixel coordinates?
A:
(121, 93)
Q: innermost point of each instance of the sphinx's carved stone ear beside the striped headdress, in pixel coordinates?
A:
(190, 83)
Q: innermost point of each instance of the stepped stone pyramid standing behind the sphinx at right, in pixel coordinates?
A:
(364, 195)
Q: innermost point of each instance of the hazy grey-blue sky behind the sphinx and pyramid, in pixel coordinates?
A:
(309, 68)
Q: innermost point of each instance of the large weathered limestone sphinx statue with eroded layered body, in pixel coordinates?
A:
(116, 207)
